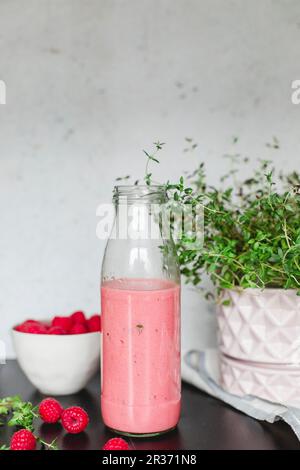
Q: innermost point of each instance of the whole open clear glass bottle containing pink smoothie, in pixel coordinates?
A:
(140, 297)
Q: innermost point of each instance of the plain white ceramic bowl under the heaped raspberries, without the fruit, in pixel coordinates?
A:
(58, 364)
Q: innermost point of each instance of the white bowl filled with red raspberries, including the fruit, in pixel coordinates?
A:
(61, 355)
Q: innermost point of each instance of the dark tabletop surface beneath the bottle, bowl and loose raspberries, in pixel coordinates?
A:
(206, 423)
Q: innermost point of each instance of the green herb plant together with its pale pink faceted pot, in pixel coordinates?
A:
(251, 253)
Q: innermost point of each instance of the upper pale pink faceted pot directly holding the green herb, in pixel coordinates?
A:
(261, 326)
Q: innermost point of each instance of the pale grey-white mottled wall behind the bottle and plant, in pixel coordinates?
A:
(89, 84)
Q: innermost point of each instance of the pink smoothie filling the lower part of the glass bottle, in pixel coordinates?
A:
(141, 386)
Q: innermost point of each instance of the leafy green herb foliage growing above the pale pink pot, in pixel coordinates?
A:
(251, 228)
